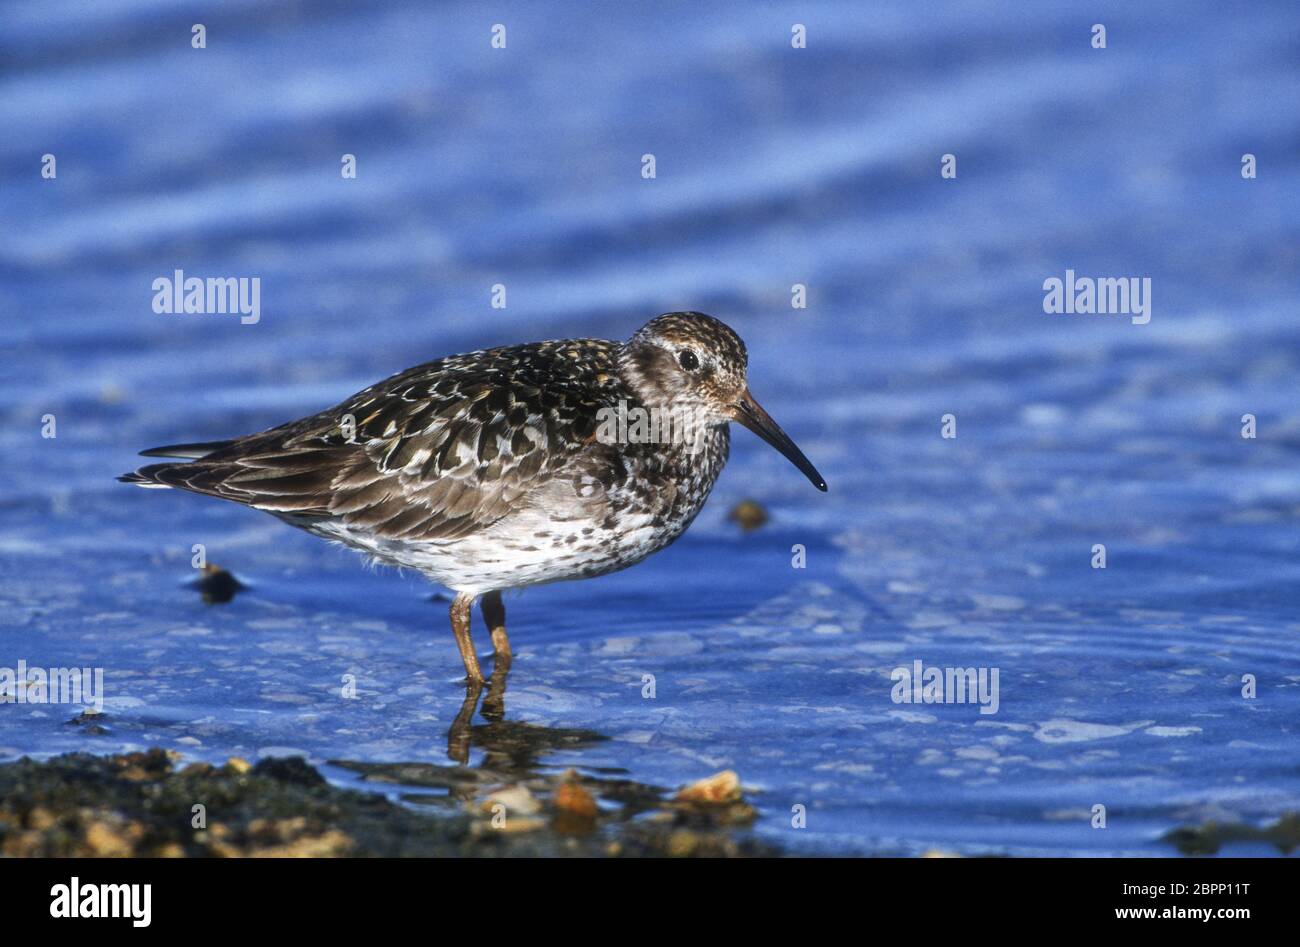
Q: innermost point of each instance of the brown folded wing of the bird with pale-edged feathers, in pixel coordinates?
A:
(436, 452)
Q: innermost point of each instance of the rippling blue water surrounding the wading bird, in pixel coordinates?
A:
(1119, 687)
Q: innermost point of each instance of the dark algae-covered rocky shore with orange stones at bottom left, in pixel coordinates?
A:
(153, 805)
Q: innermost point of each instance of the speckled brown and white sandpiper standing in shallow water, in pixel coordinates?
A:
(506, 468)
